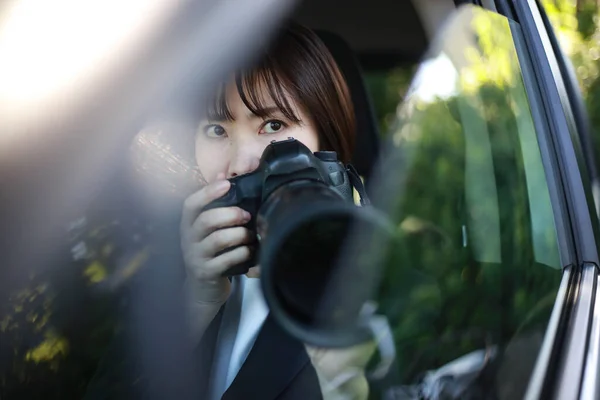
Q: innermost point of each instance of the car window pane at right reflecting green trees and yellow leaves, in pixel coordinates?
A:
(469, 287)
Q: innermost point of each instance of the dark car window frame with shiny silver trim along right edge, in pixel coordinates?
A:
(569, 365)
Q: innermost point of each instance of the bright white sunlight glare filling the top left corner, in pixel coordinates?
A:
(52, 50)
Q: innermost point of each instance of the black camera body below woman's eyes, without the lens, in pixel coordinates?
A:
(283, 163)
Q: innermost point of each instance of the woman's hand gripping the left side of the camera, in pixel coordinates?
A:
(204, 234)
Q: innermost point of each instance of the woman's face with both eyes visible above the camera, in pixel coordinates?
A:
(234, 147)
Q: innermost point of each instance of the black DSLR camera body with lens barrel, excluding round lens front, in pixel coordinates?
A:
(289, 176)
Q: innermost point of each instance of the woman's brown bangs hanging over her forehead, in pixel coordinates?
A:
(260, 89)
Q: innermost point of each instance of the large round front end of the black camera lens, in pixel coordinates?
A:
(312, 290)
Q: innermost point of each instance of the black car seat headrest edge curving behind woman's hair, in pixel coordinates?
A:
(367, 135)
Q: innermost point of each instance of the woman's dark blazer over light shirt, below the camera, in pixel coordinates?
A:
(277, 367)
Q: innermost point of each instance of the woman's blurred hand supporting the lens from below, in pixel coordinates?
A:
(341, 372)
